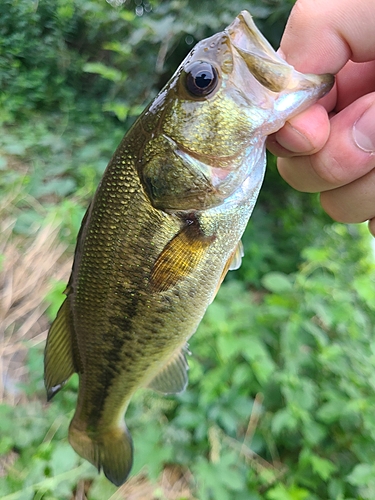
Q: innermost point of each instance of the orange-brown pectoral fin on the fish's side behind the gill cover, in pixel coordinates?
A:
(179, 257)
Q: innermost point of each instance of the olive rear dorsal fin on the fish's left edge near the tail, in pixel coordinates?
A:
(59, 362)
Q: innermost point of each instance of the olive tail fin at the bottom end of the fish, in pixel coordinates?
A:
(111, 451)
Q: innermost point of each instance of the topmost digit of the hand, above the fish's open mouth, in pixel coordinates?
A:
(321, 36)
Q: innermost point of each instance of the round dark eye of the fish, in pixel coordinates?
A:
(201, 79)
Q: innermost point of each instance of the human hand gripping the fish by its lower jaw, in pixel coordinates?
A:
(330, 148)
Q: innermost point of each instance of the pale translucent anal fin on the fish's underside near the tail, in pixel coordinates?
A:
(173, 377)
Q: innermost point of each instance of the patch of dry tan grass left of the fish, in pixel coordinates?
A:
(27, 268)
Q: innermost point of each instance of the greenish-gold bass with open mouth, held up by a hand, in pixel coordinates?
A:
(163, 229)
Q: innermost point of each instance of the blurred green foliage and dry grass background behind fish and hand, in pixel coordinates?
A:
(282, 380)
